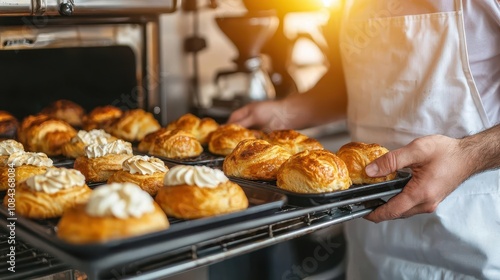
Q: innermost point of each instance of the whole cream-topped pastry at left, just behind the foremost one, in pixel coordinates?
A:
(49, 194)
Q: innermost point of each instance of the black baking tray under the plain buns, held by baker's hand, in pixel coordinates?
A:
(305, 199)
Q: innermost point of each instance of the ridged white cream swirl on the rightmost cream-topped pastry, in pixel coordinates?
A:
(201, 176)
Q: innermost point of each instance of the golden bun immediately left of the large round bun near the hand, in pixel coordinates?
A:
(255, 159)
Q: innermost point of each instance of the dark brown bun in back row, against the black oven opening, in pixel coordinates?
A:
(65, 110)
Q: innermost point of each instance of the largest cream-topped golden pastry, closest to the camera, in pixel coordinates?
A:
(113, 211)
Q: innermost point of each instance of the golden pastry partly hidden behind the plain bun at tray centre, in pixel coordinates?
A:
(199, 128)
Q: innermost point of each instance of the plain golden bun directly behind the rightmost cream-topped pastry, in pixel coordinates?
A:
(171, 144)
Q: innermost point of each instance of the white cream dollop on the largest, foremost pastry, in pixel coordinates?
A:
(119, 200)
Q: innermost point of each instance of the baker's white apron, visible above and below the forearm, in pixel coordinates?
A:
(409, 76)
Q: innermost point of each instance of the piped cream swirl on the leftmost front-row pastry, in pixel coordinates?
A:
(55, 180)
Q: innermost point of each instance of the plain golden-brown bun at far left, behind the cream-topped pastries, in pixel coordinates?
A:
(41, 133)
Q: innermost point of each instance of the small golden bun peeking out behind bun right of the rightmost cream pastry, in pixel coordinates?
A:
(223, 140)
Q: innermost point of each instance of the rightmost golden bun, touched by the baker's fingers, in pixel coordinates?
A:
(357, 156)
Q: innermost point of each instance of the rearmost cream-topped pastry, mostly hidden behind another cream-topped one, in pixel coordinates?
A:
(76, 147)
